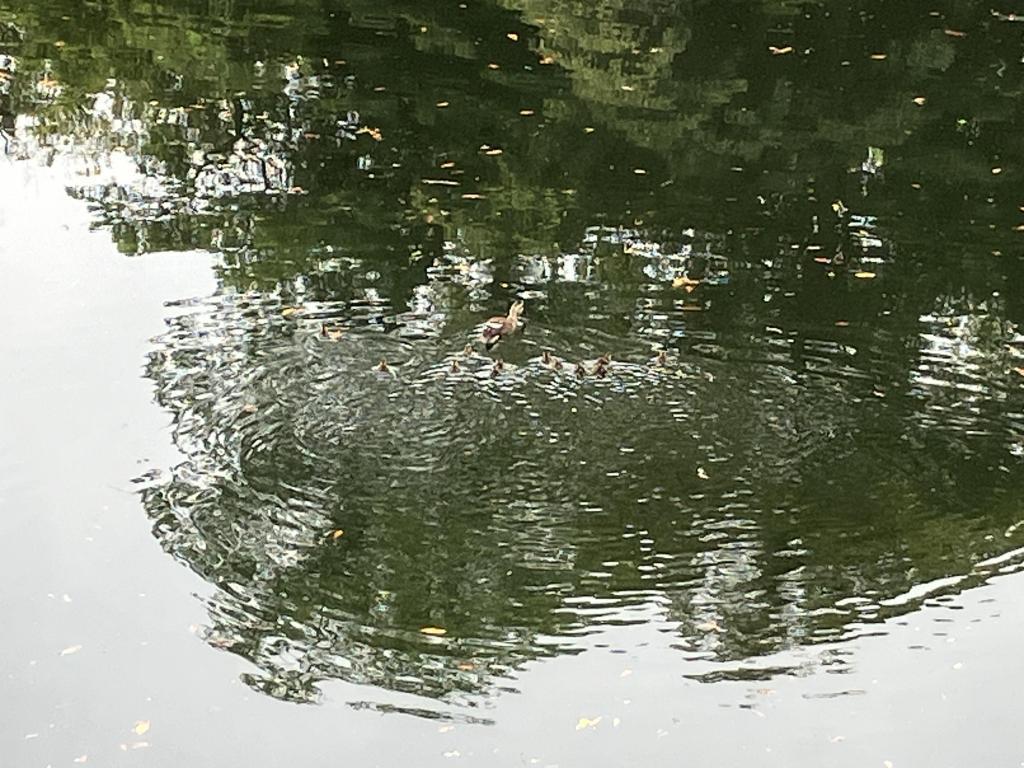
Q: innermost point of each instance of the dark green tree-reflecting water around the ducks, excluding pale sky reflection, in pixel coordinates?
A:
(815, 209)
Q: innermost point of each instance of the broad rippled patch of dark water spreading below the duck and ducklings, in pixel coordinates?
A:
(748, 503)
